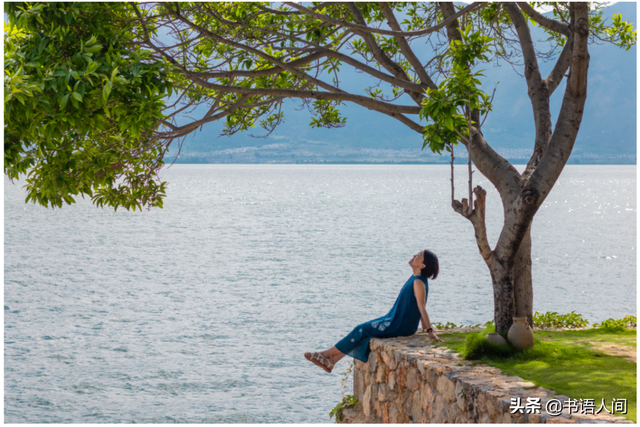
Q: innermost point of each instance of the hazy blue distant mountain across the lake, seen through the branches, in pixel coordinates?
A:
(607, 134)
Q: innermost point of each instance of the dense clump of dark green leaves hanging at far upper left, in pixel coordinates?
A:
(79, 102)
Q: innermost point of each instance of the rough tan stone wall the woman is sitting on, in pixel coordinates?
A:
(409, 380)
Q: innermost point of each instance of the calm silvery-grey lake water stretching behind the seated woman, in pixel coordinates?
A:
(200, 312)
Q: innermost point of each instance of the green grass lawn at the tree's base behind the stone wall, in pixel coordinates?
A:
(565, 361)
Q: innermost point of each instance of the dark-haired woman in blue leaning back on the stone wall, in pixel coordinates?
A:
(402, 320)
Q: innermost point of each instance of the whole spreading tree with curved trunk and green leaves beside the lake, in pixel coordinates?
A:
(242, 60)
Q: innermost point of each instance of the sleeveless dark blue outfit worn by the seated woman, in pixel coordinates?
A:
(402, 320)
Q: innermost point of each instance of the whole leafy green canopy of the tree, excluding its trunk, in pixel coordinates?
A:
(87, 84)
